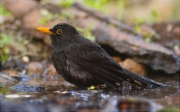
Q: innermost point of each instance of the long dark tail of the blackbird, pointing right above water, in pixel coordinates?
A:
(141, 79)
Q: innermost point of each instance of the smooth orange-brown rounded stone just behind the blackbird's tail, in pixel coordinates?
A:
(134, 67)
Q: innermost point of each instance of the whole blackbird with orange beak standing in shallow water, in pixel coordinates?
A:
(84, 63)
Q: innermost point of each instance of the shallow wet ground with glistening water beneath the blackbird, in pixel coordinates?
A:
(52, 93)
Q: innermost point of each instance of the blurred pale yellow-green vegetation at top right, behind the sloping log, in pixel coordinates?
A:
(121, 9)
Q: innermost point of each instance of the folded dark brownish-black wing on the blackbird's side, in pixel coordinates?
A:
(92, 58)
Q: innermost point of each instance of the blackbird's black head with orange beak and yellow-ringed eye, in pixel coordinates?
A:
(60, 32)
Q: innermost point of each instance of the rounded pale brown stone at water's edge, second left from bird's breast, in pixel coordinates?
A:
(35, 68)
